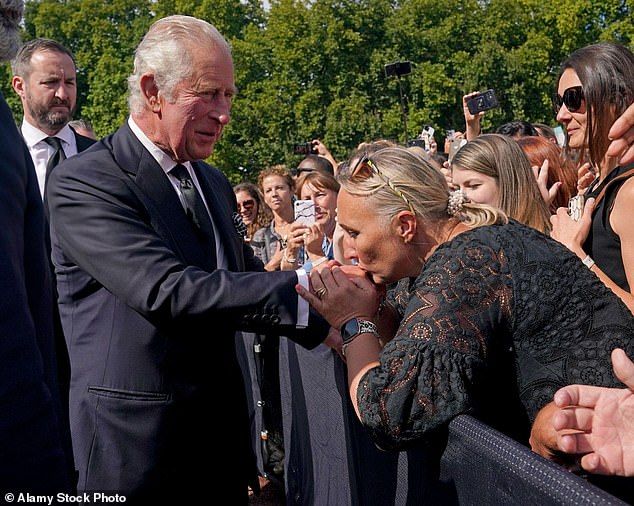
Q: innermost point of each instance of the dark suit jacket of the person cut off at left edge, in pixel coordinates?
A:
(31, 453)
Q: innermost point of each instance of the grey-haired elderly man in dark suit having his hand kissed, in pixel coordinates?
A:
(152, 288)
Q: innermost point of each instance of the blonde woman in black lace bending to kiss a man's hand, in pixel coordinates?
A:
(490, 317)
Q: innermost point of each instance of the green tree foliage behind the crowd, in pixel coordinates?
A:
(315, 69)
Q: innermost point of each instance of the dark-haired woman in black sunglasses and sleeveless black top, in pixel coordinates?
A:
(595, 86)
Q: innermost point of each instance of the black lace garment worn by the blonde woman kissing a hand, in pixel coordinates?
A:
(498, 319)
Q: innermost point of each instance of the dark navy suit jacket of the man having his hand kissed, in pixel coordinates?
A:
(156, 389)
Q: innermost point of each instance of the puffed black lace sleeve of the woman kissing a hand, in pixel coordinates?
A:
(428, 371)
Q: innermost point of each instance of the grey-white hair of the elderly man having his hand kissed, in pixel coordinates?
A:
(165, 52)
